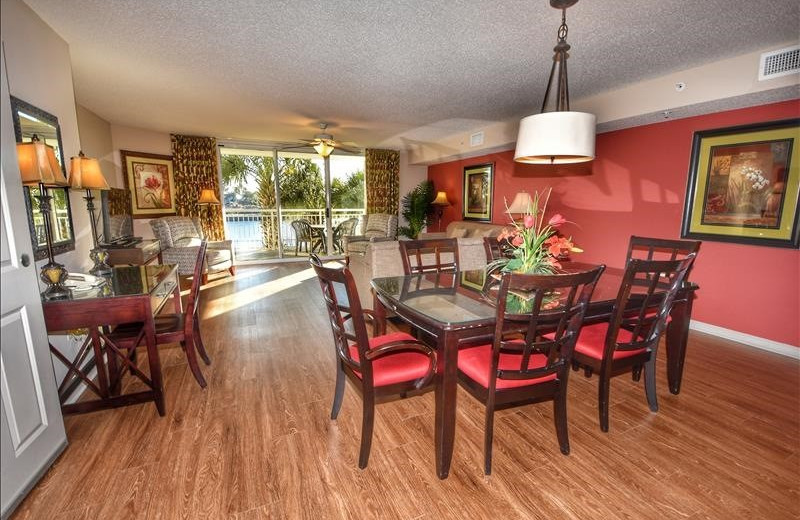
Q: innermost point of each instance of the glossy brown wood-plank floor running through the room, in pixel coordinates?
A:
(259, 443)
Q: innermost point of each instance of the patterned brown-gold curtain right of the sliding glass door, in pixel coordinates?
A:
(382, 177)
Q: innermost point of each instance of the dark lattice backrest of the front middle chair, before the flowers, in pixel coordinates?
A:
(530, 306)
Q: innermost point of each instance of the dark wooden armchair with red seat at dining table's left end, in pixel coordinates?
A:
(382, 367)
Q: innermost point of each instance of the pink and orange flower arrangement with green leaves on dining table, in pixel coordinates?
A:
(535, 244)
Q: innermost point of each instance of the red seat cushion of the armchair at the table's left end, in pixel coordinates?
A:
(394, 368)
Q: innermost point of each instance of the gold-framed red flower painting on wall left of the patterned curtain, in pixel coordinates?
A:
(150, 180)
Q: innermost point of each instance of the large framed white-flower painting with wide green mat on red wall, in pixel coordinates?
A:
(744, 185)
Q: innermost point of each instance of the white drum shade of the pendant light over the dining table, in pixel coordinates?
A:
(556, 138)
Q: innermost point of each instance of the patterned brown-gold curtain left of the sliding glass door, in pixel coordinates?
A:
(194, 163)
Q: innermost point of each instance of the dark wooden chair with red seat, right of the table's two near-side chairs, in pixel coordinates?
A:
(629, 341)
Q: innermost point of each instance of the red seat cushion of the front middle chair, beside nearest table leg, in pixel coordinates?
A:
(476, 362)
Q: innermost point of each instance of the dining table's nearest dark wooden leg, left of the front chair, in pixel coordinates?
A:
(446, 392)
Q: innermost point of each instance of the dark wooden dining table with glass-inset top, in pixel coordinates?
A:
(453, 311)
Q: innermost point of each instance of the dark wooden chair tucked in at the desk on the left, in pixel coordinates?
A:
(183, 328)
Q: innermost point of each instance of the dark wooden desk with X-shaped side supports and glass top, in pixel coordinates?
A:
(129, 295)
